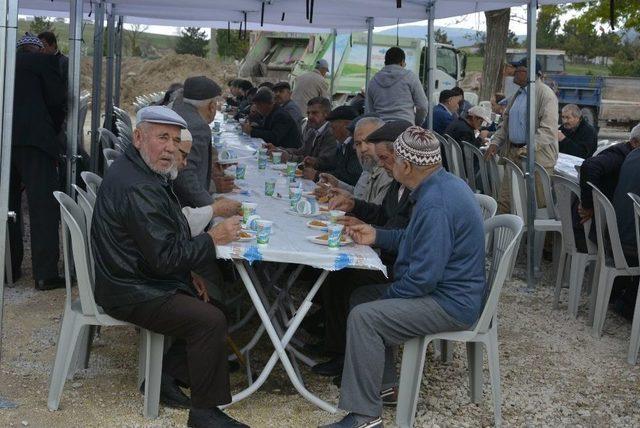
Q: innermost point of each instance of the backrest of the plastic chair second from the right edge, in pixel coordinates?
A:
(607, 229)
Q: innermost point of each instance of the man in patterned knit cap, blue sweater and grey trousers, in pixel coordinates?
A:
(438, 282)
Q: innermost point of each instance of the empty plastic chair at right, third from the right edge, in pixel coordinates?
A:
(566, 192)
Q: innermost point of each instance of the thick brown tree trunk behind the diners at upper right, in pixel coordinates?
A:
(494, 51)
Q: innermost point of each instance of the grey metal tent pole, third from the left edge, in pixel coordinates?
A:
(98, 43)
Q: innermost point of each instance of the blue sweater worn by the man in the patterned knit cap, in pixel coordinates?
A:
(441, 252)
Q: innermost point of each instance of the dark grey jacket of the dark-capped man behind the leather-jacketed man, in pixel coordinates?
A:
(192, 184)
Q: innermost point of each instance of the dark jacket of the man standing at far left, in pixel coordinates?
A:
(39, 103)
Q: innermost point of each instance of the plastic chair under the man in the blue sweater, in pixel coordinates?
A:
(503, 232)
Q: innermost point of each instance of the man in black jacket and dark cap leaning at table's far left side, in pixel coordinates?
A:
(278, 127)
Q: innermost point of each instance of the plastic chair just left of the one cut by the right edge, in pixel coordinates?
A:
(611, 260)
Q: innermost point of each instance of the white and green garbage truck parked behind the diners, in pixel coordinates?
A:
(278, 57)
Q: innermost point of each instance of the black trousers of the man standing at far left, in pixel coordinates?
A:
(37, 171)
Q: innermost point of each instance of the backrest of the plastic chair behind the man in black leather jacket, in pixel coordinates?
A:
(74, 224)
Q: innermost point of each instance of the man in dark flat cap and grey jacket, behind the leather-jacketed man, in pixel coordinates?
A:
(198, 108)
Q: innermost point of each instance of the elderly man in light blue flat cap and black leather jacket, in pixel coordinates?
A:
(144, 258)
